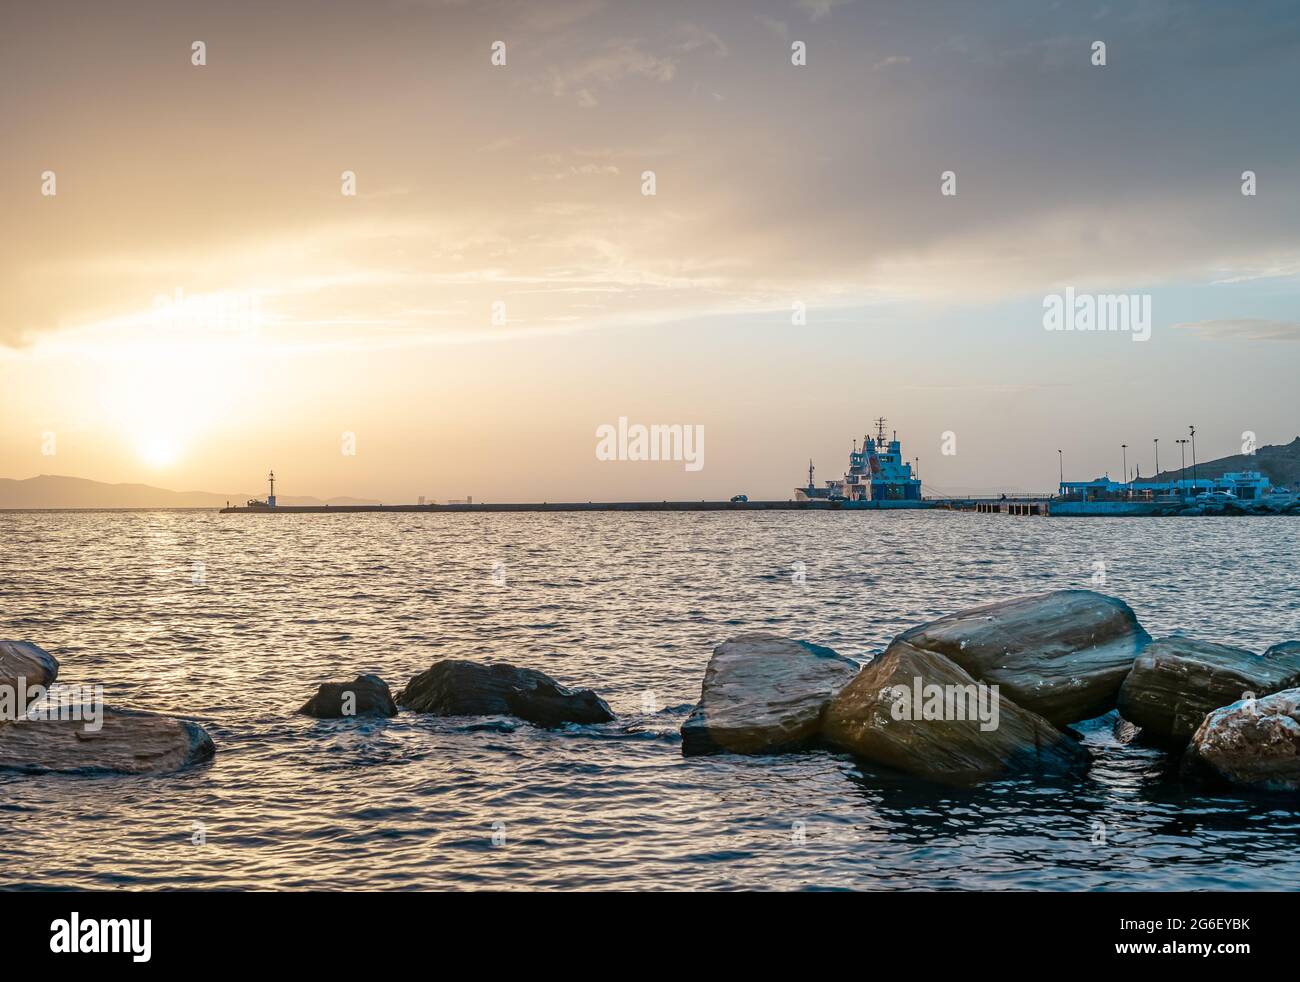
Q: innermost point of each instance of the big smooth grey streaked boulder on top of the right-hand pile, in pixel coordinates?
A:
(1061, 655)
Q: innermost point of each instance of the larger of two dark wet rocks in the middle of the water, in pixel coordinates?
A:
(461, 689)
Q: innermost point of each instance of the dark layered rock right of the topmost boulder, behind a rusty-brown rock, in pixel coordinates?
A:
(1177, 682)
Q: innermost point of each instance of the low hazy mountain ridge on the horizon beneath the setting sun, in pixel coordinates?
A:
(55, 492)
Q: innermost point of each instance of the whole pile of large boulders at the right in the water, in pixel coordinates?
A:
(994, 691)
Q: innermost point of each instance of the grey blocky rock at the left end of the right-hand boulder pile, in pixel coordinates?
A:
(764, 695)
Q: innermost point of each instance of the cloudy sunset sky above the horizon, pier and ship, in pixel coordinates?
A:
(201, 300)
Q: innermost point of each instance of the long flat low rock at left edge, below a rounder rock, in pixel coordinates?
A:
(128, 743)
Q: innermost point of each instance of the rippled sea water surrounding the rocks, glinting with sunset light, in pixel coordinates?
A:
(630, 604)
